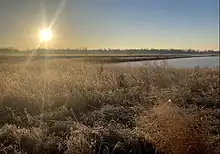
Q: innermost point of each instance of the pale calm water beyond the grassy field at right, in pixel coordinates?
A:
(178, 63)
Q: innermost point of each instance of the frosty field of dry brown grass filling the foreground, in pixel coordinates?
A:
(66, 106)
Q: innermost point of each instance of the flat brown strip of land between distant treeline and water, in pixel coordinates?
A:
(99, 58)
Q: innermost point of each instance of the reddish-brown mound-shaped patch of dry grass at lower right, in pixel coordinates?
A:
(174, 131)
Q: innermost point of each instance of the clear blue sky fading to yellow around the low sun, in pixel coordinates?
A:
(182, 24)
